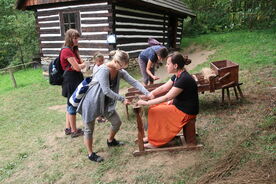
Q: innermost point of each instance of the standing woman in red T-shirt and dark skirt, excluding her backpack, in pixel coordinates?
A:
(71, 64)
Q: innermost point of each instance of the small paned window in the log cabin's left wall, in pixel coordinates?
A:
(70, 20)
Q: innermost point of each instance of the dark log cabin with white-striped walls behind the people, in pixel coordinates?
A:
(106, 25)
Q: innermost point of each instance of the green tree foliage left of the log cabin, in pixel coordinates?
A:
(18, 40)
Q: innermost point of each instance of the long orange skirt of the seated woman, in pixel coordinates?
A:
(165, 122)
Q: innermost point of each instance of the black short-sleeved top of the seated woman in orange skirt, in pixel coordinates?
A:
(187, 100)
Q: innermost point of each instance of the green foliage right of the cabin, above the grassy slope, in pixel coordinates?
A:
(228, 15)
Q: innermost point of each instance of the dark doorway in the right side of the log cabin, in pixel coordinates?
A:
(172, 32)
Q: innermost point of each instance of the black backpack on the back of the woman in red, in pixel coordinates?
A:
(56, 71)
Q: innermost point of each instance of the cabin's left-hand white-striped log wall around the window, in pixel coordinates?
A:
(95, 24)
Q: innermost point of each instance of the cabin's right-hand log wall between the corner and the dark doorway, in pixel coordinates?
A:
(133, 27)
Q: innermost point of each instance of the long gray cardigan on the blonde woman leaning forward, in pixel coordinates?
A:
(93, 104)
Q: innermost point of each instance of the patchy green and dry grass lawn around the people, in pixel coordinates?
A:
(239, 140)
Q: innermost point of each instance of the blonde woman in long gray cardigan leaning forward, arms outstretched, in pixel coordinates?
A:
(102, 97)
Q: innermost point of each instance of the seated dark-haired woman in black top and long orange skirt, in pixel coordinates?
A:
(176, 108)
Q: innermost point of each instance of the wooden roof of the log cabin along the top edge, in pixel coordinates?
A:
(176, 6)
